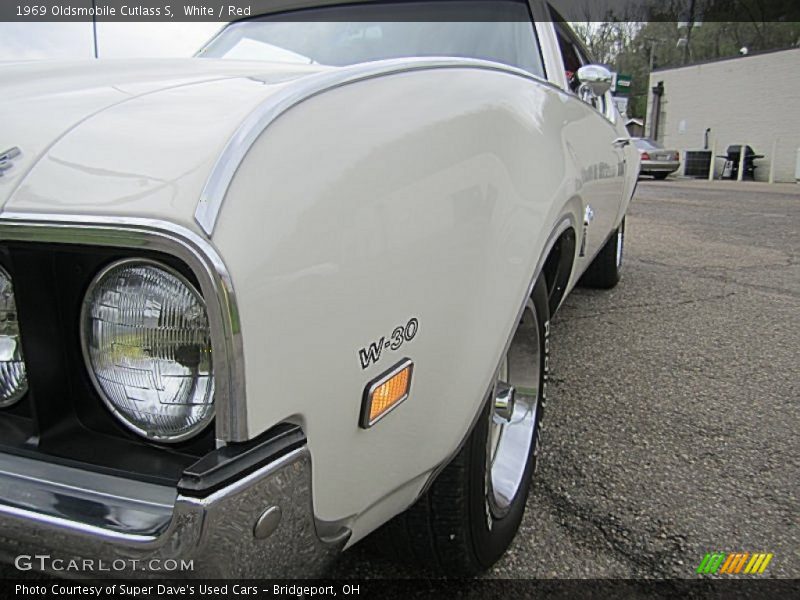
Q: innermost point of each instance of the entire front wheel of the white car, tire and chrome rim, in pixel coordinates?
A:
(468, 517)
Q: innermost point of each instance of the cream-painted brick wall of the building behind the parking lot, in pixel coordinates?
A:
(753, 99)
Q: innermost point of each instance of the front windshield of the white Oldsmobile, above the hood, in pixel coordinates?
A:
(345, 35)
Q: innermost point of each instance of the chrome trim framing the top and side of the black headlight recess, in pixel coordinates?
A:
(197, 253)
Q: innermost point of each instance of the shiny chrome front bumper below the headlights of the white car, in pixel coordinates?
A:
(156, 532)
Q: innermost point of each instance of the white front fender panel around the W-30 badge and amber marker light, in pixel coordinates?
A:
(365, 207)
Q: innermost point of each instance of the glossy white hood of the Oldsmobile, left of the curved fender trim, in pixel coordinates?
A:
(124, 137)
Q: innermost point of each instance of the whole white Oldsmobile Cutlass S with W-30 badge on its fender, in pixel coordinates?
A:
(258, 304)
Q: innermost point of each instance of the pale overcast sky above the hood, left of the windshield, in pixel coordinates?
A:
(32, 41)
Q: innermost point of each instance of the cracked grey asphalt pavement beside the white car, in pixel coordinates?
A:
(673, 427)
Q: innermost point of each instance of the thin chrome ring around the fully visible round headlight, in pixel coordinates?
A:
(119, 415)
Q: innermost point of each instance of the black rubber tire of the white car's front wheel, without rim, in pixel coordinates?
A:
(450, 530)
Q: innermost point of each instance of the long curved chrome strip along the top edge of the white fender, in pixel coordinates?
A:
(216, 187)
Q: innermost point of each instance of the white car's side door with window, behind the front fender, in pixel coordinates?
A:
(594, 139)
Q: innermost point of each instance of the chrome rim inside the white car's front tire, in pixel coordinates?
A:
(514, 418)
